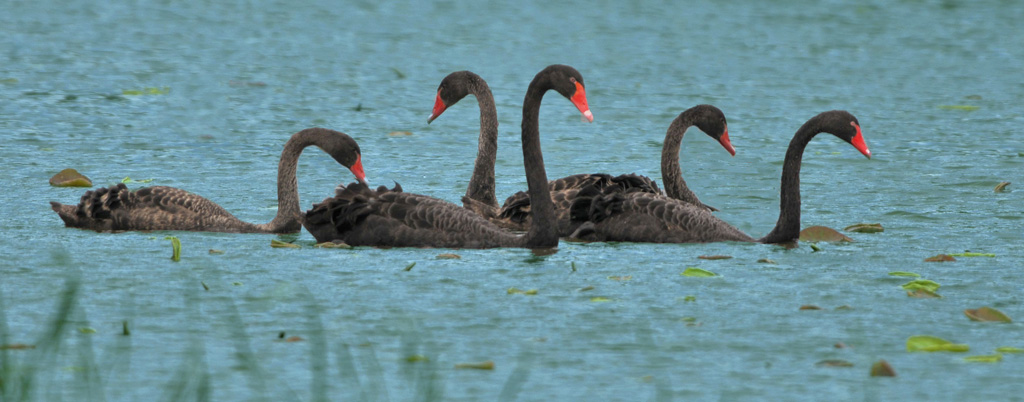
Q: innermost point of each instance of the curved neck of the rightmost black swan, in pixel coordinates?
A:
(788, 227)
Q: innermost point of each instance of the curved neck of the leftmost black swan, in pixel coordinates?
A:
(289, 218)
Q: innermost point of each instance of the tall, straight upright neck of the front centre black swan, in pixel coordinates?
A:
(543, 233)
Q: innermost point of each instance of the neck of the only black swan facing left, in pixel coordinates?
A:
(482, 186)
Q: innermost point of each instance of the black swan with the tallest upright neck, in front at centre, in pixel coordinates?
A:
(360, 216)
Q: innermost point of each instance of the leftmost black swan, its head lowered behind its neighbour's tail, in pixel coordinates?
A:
(162, 208)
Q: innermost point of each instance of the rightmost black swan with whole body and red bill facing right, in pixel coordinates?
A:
(649, 218)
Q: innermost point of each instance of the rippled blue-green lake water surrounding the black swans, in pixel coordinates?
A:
(243, 77)
